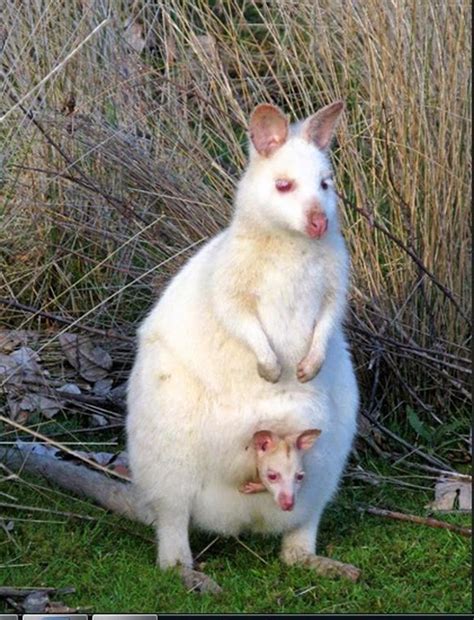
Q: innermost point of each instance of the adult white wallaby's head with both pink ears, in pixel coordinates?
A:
(288, 182)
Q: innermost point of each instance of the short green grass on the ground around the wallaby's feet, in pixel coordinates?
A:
(110, 561)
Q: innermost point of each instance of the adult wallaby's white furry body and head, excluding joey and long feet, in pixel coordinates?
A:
(248, 336)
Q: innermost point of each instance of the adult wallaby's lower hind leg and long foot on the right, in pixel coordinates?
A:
(298, 548)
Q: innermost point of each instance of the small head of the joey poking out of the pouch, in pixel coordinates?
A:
(280, 463)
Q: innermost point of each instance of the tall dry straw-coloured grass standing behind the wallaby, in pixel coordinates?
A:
(121, 163)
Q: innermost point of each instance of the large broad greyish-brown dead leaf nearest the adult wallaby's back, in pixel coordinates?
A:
(92, 363)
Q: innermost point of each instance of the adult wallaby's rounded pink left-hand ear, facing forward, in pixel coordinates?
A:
(268, 129)
